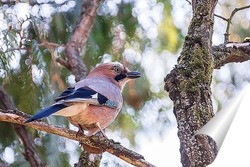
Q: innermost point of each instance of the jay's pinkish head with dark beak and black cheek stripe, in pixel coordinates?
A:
(116, 72)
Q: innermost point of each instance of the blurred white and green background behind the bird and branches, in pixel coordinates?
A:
(146, 35)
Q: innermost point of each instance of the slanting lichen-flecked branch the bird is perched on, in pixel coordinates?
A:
(103, 144)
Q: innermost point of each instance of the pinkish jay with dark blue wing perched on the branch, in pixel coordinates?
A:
(94, 102)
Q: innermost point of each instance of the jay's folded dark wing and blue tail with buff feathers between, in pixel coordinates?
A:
(72, 101)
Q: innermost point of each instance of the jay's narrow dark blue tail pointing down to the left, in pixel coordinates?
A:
(46, 112)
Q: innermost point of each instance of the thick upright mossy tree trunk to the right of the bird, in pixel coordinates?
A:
(188, 85)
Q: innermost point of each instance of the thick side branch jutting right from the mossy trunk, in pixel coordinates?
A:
(230, 52)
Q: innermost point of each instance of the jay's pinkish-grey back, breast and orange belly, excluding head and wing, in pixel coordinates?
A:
(92, 114)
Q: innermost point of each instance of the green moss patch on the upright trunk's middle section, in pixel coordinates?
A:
(197, 68)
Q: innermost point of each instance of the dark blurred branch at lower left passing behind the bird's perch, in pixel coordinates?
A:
(30, 152)
